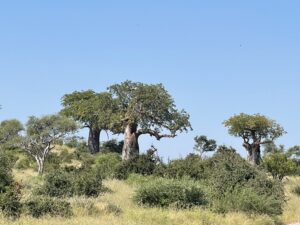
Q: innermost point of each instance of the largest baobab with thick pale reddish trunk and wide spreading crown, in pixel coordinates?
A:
(145, 109)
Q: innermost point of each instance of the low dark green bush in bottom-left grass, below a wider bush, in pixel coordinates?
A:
(42, 206)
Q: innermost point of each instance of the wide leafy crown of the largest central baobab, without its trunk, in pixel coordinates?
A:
(149, 106)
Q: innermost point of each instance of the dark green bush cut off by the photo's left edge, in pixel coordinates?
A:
(9, 190)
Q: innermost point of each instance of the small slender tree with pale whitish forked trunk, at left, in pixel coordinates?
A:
(42, 134)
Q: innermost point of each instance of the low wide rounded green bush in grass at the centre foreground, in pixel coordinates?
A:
(165, 193)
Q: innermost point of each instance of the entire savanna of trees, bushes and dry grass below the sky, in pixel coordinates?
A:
(51, 176)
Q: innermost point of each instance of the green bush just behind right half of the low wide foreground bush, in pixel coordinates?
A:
(192, 166)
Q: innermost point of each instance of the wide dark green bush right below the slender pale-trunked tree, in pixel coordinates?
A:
(76, 182)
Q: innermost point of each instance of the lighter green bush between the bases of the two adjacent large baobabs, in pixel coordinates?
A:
(106, 164)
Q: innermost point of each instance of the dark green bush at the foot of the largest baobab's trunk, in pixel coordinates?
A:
(144, 164)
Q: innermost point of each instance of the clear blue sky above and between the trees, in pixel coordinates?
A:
(216, 58)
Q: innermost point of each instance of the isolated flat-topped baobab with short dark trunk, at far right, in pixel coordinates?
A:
(255, 130)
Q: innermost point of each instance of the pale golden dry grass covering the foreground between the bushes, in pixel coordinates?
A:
(105, 210)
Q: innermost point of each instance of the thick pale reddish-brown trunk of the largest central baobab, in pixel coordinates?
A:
(131, 145)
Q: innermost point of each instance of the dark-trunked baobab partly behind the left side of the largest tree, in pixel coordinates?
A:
(93, 110)
